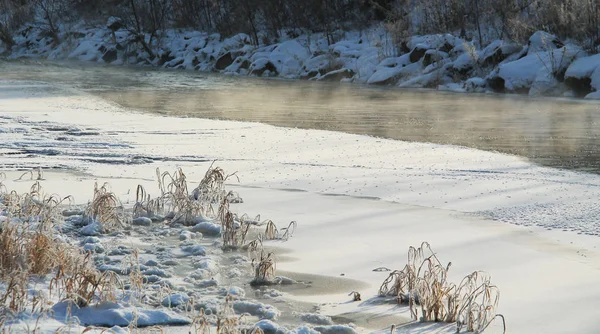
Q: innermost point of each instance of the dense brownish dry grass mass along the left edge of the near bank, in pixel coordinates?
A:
(31, 247)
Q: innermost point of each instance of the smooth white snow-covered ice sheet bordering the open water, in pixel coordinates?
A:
(399, 194)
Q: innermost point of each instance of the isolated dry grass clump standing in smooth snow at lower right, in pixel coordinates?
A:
(423, 284)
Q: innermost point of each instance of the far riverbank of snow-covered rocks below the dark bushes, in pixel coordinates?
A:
(545, 66)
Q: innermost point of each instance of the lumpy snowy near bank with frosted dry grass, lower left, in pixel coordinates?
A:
(53, 271)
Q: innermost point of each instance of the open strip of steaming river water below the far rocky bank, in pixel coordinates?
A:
(553, 132)
